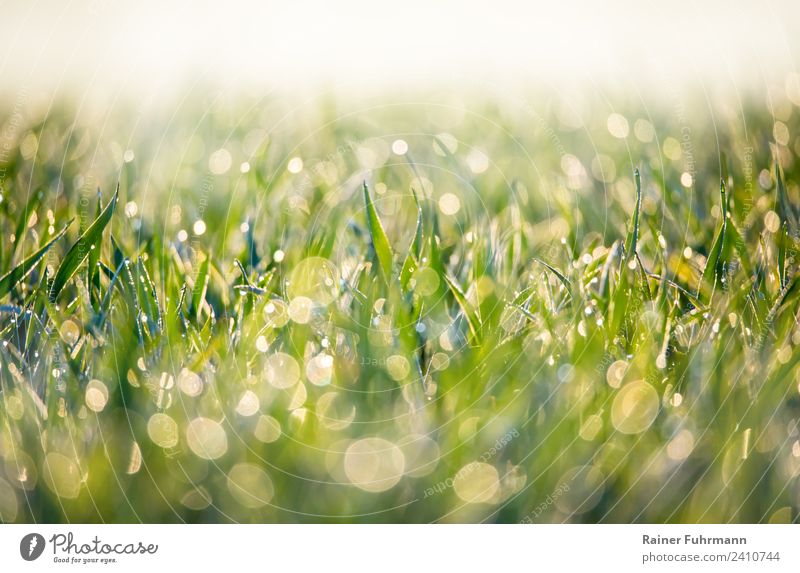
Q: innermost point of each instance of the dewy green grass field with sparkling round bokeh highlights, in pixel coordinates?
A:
(493, 311)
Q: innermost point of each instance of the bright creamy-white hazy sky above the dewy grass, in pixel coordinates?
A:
(151, 45)
